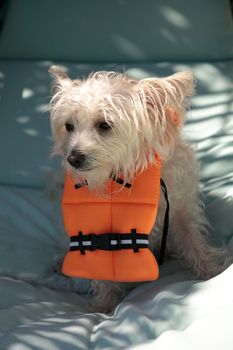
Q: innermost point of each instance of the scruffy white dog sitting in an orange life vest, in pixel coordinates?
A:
(109, 124)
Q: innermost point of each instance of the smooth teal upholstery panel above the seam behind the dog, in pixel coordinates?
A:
(117, 30)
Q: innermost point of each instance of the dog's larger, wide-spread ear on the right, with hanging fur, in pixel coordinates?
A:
(164, 101)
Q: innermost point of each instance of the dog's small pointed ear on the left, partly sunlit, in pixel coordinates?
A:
(61, 81)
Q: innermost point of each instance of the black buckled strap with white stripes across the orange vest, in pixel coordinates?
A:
(109, 241)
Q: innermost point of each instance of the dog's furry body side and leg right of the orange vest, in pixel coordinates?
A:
(188, 231)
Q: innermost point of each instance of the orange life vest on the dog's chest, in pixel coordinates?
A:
(109, 235)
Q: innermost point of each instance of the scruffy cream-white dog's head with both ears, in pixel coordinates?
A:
(111, 124)
